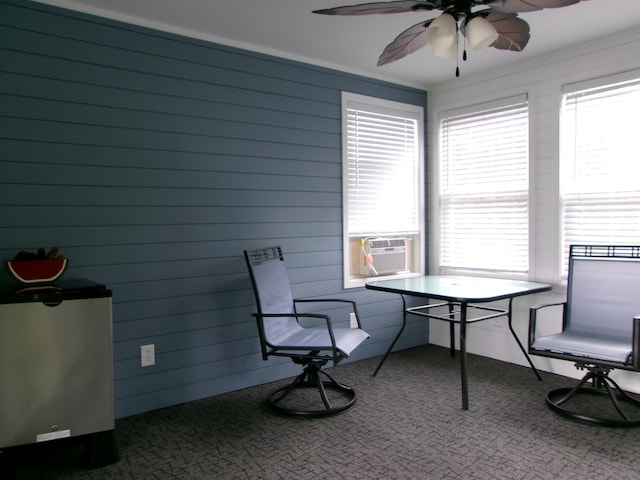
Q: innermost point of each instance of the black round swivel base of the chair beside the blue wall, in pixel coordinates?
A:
(310, 378)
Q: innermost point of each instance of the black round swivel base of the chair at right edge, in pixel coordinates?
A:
(602, 386)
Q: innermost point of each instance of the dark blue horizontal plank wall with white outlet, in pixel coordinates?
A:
(153, 161)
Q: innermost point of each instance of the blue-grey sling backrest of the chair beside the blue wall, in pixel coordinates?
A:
(272, 292)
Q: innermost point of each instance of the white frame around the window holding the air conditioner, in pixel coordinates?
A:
(416, 253)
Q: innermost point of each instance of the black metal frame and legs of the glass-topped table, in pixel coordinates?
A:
(458, 313)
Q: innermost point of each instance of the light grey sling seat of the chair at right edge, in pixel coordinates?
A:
(597, 347)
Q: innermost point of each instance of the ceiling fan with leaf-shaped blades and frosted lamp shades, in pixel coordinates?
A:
(496, 26)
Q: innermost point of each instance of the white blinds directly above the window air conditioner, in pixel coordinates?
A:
(382, 169)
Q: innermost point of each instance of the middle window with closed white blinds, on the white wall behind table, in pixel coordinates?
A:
(484, 188)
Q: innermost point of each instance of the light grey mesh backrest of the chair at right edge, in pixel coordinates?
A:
(603, 290)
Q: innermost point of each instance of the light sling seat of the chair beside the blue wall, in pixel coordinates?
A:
(347, 339)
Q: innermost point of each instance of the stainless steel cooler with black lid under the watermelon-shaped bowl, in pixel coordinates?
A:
(56, 365)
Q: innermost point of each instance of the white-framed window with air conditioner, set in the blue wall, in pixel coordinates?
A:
(383, 188)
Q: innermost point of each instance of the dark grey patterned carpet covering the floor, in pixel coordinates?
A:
(408, 424)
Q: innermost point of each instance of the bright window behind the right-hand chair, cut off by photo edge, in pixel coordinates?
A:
(600, 164)
